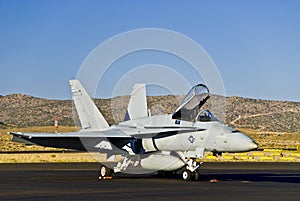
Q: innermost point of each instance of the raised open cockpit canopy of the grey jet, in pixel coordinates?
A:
(192, 102)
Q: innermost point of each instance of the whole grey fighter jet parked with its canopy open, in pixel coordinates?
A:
(164, 143)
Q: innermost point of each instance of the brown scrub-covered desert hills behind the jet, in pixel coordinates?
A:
(19, 110)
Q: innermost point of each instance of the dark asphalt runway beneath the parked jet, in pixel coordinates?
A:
(78, 181)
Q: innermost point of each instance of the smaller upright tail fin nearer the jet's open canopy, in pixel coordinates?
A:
(137, 106)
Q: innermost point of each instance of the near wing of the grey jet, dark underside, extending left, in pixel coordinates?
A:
(103, 141)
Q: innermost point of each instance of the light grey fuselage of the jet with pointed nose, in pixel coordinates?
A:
(179, 135)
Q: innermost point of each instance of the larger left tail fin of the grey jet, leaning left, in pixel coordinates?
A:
(89, 115)
